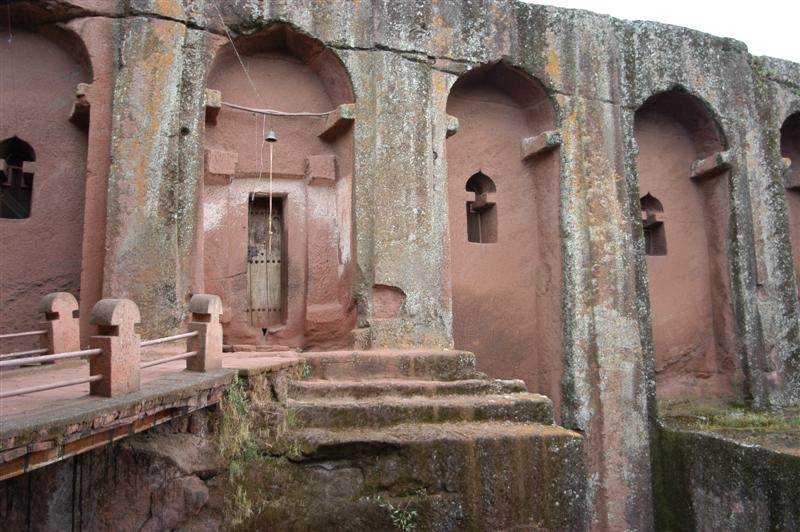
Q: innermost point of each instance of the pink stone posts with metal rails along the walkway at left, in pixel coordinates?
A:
(115, 353)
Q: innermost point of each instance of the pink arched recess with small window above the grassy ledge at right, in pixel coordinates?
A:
(682, 166)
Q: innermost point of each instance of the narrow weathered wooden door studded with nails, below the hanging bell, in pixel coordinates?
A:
(266, 272)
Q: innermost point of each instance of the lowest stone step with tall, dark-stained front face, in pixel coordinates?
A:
(455, 476)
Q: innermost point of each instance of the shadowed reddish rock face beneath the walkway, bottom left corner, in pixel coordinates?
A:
(154, 481)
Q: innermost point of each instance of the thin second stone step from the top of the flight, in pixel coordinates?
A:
(324, 389)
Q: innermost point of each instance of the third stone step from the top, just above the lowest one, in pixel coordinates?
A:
(392, 410)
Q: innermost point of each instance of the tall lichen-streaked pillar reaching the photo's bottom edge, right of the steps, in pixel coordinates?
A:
(605, 372)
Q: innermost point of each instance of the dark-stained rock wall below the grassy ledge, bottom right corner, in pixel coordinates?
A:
(707, 481)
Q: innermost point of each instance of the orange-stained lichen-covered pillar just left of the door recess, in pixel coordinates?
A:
(151, 214)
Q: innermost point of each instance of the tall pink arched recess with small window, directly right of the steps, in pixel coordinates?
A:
(502, 165)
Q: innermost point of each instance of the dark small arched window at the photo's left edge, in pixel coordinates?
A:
(16, 185)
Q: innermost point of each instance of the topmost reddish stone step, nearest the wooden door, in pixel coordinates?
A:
(389, 364)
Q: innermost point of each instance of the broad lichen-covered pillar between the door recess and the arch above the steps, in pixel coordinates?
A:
(400, 203)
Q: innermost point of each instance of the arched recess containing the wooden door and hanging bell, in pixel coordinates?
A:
(299, 291)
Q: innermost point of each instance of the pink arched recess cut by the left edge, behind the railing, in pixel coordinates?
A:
(43, 166)
